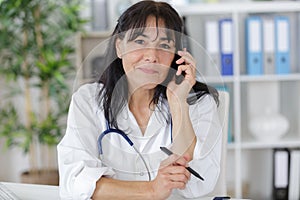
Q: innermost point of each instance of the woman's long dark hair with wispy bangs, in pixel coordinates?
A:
(114, 93)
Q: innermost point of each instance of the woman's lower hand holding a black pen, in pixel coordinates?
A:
(172, 174)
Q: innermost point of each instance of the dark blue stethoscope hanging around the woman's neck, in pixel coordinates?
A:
(129, 141)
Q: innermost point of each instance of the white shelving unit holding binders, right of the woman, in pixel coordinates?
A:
(250, 160)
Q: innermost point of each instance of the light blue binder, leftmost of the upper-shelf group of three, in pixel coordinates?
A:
(254, 53)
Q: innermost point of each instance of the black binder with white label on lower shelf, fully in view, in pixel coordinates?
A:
(281, 166)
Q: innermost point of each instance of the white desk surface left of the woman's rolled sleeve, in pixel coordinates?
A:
(33, 191)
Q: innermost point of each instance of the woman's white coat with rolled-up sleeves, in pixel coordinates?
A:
(80, 165)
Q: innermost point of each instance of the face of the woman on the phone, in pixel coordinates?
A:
(147, 58)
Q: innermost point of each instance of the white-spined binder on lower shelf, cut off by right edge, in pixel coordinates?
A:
(294, 182)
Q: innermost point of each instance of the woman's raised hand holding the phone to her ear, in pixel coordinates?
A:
(187, 66)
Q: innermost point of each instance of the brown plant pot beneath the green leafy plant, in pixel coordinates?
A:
(41, 176)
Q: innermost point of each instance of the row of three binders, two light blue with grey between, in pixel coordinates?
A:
(267, 45)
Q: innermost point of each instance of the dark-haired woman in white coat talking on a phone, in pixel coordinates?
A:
(139, 97)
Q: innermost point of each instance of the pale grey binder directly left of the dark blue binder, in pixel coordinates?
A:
(212, 60)
